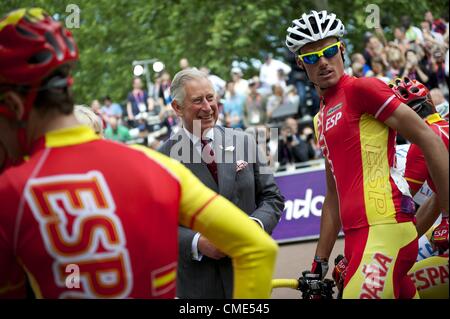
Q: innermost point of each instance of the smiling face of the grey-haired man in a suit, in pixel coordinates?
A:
(200, 105)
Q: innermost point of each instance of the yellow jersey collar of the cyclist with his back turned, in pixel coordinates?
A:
(65, 137)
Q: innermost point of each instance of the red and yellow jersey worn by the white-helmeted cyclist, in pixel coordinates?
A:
(360, 149)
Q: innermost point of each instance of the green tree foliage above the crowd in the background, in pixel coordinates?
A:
(213, 33)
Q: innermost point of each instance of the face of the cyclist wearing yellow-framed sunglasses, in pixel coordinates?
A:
(326, 72)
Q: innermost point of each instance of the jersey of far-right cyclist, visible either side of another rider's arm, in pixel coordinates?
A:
(416, 171)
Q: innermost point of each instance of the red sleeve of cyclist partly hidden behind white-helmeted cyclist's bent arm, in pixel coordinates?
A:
(416, 171)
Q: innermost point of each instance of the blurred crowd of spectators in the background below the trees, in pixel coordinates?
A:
(281, 97)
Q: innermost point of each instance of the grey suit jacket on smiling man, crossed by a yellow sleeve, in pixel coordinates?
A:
(249, 189)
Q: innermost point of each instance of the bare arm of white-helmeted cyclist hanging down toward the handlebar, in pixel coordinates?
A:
(330, 222)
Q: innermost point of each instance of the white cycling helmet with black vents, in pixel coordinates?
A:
(313, 27)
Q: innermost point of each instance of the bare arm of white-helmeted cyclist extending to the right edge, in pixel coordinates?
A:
(405, 121)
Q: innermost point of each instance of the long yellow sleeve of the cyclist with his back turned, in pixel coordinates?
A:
(228, 228)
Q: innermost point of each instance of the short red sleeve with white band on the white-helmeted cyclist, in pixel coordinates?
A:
(376, 98)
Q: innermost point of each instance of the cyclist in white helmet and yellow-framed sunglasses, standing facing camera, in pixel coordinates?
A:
(356, 128)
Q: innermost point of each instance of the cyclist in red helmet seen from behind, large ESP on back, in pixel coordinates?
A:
(85, 217)
